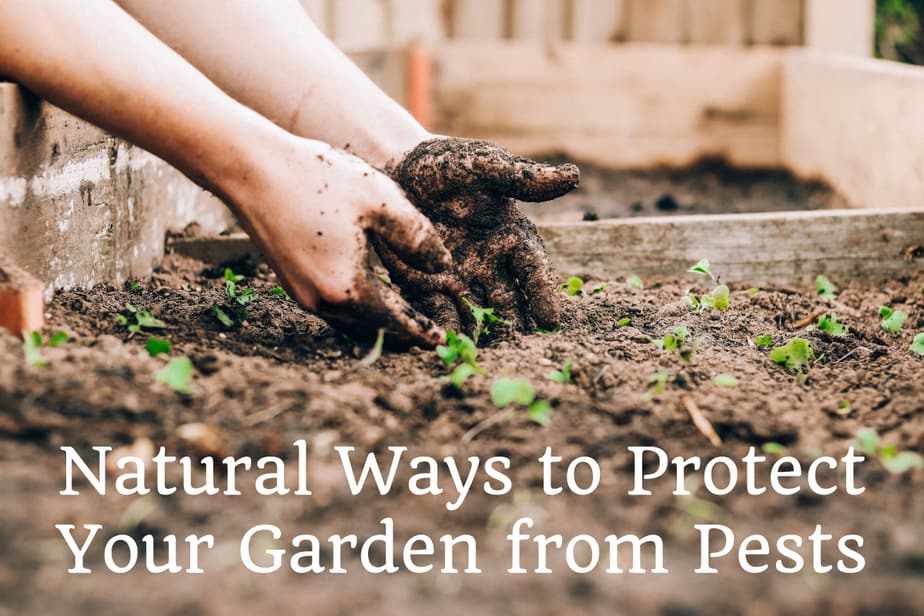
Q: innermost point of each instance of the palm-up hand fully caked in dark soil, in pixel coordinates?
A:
(469, 190)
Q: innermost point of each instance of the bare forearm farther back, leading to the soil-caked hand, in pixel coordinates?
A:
(271, 57)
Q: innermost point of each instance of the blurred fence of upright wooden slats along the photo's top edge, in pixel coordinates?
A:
(837, 25)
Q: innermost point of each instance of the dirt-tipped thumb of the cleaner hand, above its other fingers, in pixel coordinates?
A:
(411, 235)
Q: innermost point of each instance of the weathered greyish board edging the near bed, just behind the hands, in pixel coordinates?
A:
(779, 248)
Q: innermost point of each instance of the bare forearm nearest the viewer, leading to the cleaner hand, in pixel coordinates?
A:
(75, 54)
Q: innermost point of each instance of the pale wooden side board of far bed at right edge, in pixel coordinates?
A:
(849, 121)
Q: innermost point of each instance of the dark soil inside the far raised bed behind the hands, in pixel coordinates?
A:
(711, 187)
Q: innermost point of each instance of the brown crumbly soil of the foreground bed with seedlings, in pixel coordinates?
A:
(284, 376)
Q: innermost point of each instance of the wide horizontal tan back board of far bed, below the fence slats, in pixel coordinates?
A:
(617, 106)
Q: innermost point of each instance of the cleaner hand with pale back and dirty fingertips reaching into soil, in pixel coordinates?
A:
(312, 213)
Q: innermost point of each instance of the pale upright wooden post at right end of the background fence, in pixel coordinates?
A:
(840, 26)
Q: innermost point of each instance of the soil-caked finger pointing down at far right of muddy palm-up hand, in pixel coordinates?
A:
(532, 267)
